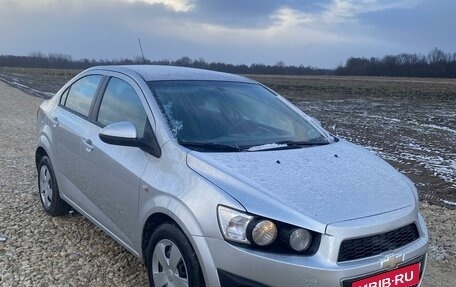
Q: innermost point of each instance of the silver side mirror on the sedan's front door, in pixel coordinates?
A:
(120, 133)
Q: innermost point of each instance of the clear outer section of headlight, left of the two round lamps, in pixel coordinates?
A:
(233, 224)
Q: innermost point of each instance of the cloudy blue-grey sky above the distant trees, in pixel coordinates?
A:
(309, 32)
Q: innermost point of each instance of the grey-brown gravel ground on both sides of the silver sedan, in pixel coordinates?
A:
(38, 250)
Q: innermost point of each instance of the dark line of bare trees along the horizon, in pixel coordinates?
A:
(436, 63)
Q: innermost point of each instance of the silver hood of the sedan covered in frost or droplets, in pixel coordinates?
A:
(310, 187)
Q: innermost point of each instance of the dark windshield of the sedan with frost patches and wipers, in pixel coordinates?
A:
(231, 116)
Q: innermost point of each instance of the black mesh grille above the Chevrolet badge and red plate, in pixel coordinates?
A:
(372, 245)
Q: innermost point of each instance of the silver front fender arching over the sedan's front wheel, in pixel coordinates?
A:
(171, 188)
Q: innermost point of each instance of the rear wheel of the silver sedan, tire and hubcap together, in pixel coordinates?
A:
(49, 191)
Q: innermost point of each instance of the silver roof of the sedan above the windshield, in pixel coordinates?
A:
(166, 73)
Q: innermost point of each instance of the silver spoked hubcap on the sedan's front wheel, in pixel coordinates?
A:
(168, 266)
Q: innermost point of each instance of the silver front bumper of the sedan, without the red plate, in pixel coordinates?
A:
(268, 269)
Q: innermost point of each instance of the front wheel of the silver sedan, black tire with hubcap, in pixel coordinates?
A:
(171, 260)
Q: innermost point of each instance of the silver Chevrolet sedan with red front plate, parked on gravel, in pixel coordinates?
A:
(213, 179)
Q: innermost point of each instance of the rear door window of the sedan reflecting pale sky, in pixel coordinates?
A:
(81, 94)
